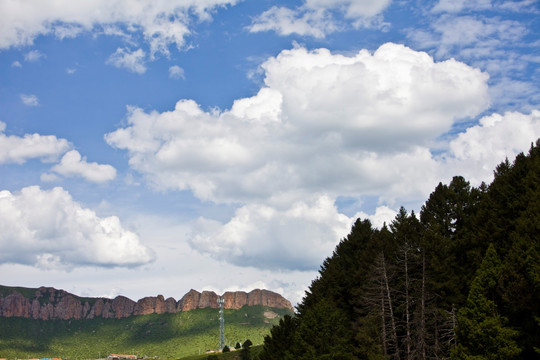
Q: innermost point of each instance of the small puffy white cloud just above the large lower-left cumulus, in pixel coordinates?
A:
(73, 165)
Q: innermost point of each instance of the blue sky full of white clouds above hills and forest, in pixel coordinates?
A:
(150, 147)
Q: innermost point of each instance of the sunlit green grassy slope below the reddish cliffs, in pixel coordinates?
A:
(164, 335)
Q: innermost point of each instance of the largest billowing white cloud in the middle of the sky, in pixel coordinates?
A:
(317, 110)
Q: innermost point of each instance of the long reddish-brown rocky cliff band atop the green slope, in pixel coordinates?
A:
(49, 303)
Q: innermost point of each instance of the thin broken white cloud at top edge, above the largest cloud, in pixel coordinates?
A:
(317, 17)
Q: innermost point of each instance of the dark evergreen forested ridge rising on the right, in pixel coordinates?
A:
(461, 280)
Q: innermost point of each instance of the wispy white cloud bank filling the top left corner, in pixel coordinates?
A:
(161, 22)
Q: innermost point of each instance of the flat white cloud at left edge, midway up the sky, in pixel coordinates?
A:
(15, 149)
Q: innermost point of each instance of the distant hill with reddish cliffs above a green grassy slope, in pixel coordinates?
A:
(191, 329)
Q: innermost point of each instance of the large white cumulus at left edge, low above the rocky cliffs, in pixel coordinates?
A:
(48, 229)
